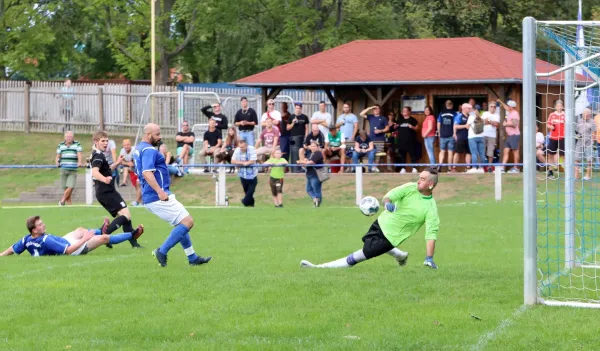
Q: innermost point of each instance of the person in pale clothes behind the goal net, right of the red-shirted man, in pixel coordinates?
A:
(586, 129)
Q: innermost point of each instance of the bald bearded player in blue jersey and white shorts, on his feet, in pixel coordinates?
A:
(155, 180)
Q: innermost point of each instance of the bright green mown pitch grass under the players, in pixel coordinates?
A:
(254, 296)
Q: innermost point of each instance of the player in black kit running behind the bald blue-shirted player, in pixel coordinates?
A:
(106, 193)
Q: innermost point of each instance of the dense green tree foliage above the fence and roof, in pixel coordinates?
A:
(223, 40)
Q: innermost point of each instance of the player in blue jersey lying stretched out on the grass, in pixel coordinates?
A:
(78, 242)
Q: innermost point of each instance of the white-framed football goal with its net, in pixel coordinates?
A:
(560, 84)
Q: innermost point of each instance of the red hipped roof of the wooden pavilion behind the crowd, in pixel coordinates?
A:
(402, 61)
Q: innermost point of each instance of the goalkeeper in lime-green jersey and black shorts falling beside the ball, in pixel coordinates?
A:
(407, 208)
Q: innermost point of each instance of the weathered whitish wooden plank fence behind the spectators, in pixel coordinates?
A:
(50, 107)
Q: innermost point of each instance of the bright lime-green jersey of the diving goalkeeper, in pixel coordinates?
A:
(412, 210)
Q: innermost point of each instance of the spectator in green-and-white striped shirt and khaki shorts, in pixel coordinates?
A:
(68, 159)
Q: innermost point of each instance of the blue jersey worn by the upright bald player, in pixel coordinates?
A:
(148, 159)
